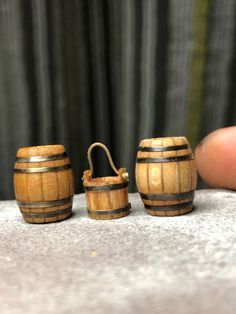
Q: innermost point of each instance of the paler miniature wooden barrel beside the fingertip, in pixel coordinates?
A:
(166, 176)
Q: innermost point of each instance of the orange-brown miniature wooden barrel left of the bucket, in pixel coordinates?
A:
(43, 183)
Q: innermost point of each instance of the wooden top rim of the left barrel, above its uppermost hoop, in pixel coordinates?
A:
(40, 150)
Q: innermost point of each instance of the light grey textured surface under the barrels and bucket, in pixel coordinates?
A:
(137, 264)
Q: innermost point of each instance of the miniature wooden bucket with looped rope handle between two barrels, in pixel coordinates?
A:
(107, 197)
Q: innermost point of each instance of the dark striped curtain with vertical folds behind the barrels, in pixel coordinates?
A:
(115, 71)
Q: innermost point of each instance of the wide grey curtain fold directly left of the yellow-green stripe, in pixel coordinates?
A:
(180, 53)
